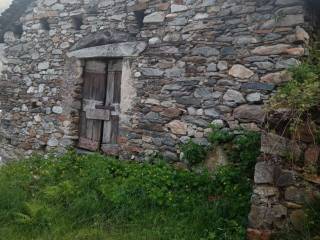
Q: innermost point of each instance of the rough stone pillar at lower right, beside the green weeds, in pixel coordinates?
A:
(286, 179)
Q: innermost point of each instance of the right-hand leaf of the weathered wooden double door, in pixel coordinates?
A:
(112, 102)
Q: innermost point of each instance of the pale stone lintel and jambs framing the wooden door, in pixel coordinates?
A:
(127, 52)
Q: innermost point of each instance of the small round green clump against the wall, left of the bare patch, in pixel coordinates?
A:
(193, 153)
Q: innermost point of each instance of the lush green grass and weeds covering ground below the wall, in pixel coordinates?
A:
(92, 197)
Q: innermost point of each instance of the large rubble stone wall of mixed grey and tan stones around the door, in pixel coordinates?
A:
(205, 60)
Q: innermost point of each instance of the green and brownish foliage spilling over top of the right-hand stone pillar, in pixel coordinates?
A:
(301, 95)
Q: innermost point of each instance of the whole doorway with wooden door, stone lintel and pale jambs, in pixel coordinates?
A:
(108, 120)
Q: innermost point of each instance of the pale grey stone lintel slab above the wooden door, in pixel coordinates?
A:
(126, 49)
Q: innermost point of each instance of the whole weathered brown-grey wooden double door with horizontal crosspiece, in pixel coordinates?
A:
(99, 125)
